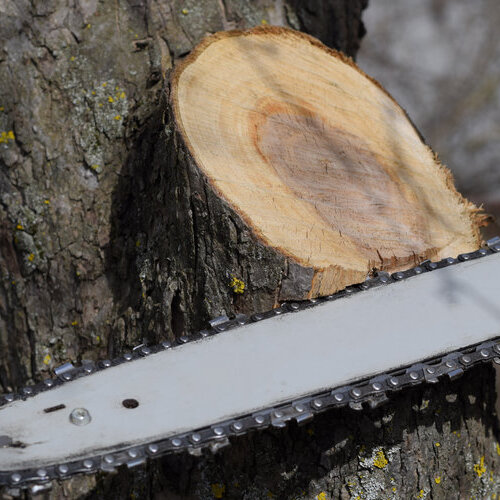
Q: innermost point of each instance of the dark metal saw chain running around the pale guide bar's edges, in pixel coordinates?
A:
(369, 392)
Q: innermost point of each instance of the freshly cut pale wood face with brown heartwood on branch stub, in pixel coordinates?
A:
(317, 159)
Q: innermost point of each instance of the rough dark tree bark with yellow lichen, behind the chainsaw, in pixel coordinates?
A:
(93, 259)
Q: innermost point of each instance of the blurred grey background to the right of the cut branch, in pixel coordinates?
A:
(440, 59)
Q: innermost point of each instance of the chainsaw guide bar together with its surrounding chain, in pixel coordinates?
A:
(353, 348)
